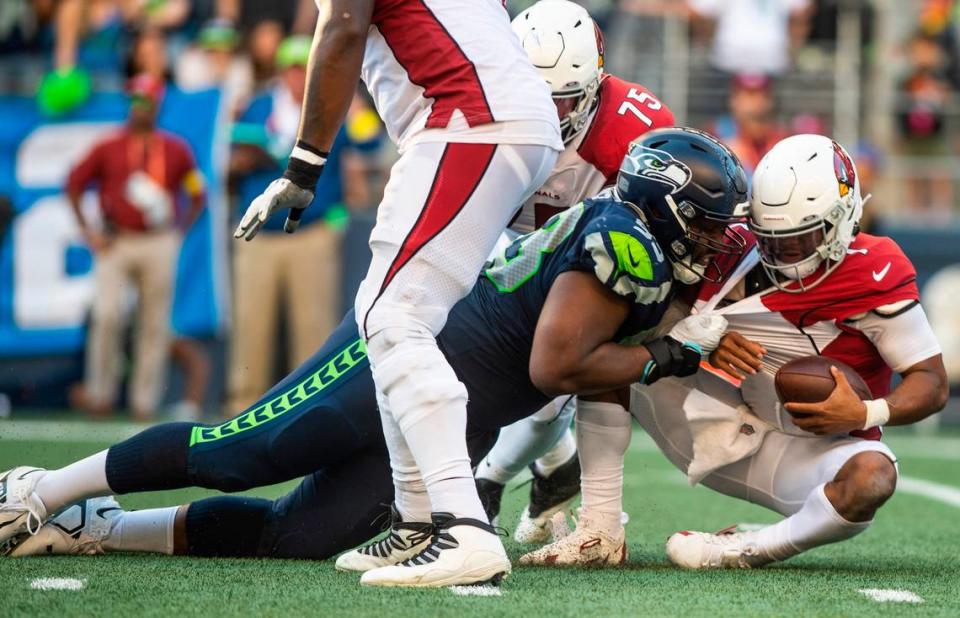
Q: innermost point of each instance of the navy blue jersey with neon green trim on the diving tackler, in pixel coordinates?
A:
(489, 333)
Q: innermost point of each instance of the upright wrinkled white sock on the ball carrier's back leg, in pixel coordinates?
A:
(603, 435)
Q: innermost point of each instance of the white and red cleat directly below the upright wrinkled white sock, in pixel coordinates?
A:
(589, 545)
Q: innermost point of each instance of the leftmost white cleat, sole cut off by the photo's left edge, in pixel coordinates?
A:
(22, 513)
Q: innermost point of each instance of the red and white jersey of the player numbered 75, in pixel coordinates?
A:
(591, 161)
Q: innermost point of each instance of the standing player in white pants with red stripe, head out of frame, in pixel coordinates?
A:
(477, 134)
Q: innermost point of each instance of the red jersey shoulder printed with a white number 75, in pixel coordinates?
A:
(624, 111)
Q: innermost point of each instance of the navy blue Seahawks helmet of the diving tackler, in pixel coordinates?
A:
(689, 188)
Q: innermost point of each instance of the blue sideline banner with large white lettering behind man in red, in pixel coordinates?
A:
(46, 282)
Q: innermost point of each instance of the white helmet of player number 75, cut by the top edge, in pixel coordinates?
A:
(566, 47)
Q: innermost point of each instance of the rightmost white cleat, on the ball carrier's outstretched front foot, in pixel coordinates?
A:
(723, 550)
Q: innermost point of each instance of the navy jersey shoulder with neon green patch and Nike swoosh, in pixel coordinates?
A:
(617, 247)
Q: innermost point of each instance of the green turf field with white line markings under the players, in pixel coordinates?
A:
(913, 546)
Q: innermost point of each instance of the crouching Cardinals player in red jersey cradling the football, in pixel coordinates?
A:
(821, 288)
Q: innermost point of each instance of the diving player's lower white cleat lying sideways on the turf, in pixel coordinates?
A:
(78, 529)
